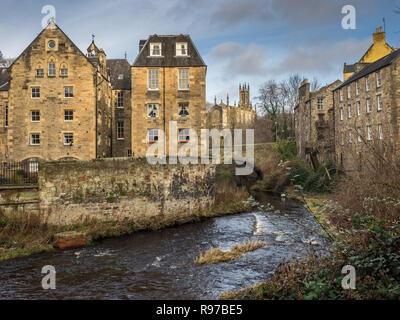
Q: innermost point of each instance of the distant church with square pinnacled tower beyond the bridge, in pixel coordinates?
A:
(225, 116)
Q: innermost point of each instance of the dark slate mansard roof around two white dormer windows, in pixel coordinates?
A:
(169, 58)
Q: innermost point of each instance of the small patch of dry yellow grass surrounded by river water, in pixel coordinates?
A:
(216, 255)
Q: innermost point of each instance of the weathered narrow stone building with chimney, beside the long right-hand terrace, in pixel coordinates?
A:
(314, 124)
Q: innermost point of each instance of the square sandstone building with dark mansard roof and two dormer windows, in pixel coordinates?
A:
(168, 84)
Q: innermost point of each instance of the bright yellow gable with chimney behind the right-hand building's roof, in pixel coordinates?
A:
(376, 51)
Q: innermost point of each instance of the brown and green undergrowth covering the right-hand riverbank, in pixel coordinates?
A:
(365, 227)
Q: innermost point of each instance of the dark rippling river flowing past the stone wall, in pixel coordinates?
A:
(159, 264)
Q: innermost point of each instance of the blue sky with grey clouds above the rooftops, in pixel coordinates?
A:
(250, 41)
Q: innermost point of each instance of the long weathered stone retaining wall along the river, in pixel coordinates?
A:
(118, 188)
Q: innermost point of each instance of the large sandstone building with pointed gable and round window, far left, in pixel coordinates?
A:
(55, 102)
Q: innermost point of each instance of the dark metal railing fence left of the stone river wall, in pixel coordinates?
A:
(19, 173)
